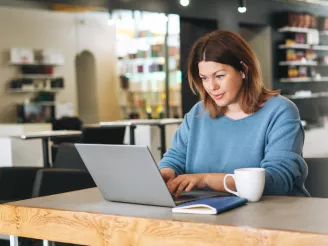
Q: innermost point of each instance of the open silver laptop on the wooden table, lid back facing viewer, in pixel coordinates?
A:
(129, 174)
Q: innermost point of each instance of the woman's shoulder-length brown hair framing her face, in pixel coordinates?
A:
(231, 49)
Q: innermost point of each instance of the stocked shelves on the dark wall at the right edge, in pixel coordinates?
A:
(301, 63)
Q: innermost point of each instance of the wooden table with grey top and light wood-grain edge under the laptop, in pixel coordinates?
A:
(83, 217)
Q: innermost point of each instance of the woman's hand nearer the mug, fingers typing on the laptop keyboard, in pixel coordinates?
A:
(186, 182)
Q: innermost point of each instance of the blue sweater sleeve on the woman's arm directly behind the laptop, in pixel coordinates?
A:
(175, 157)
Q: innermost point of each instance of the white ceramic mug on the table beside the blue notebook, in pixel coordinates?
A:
(249, 183)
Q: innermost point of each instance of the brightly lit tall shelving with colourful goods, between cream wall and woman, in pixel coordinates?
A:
(148, 59)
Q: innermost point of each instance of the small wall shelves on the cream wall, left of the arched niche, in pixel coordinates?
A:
(37, 82)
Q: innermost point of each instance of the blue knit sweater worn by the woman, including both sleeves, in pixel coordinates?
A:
(271, 138)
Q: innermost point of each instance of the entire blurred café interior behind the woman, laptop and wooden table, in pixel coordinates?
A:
(97, 69)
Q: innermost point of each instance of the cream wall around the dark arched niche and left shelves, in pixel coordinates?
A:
(70, 33)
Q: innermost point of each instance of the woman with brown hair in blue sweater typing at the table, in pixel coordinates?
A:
(237, 124)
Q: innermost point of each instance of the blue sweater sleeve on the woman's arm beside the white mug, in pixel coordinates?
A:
(283, 162)
